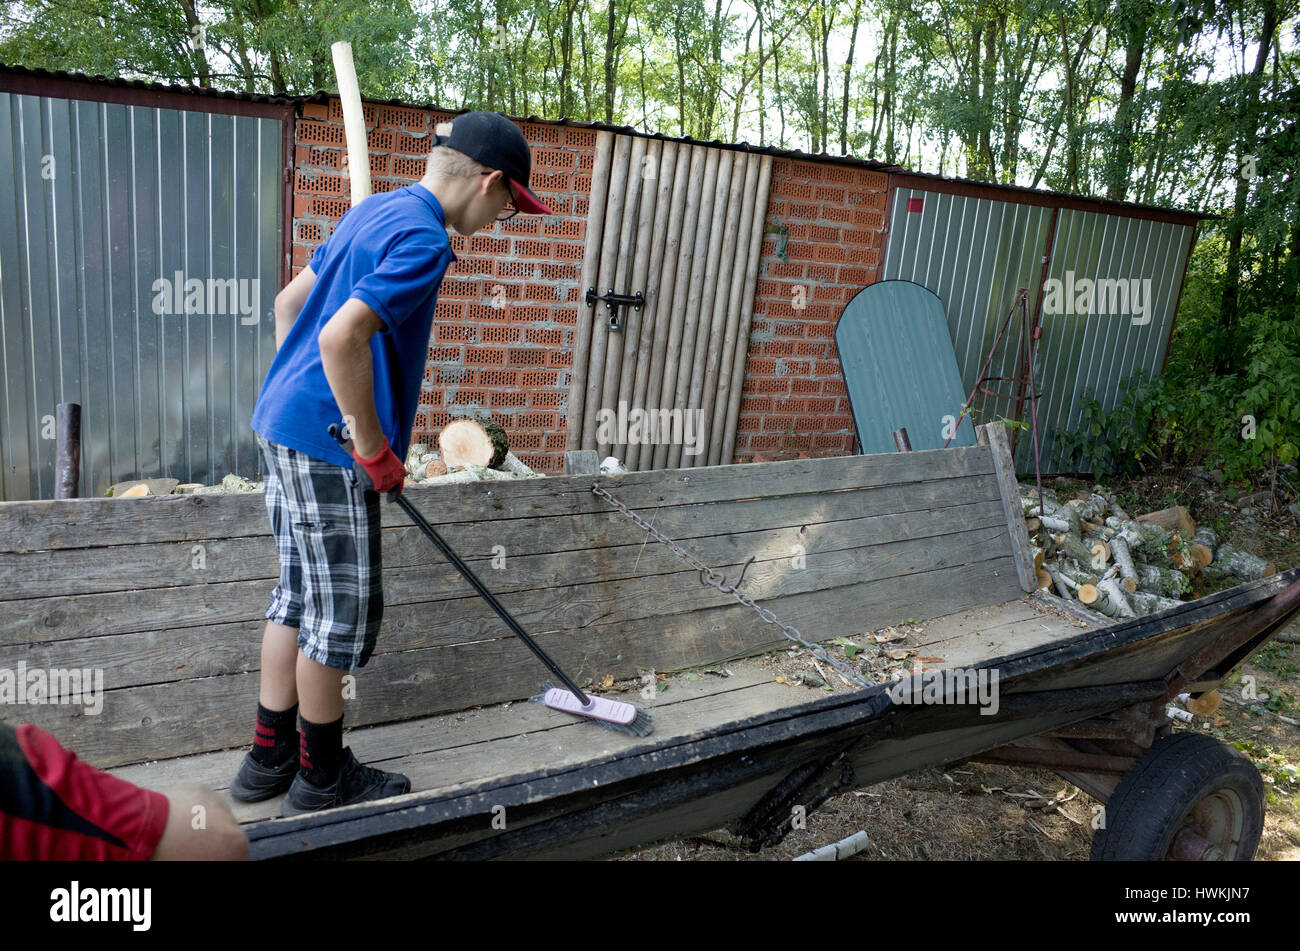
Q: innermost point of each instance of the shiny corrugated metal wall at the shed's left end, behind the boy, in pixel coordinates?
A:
(98, 203)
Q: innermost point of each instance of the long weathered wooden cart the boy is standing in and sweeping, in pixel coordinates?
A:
(166, 597)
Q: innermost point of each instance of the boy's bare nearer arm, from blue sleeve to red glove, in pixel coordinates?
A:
(345, 342)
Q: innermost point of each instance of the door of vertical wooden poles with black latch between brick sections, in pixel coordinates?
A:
(682, 225)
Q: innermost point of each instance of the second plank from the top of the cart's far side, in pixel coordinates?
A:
(172, 564)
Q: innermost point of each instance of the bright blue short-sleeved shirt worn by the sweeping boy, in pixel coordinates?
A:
(391, 251)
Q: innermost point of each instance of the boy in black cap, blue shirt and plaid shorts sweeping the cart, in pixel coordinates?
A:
(353, 338)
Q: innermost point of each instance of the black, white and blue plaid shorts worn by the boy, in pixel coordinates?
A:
(328, 536)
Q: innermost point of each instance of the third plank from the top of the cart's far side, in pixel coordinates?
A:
(547, 580)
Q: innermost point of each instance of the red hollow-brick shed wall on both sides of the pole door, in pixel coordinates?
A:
(506, 319)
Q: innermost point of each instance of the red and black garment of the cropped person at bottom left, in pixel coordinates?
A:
(53, 806)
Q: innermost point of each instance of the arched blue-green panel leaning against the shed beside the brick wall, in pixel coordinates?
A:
(900, 368)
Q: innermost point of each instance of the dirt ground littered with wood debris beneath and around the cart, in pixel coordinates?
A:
(1000, 813)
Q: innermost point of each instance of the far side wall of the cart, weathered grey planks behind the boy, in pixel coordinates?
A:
(163, 598)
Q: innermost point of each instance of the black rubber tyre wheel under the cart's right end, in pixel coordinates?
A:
(1189, 798)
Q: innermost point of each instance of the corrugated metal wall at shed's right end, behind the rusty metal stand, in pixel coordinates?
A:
(976, 254)
